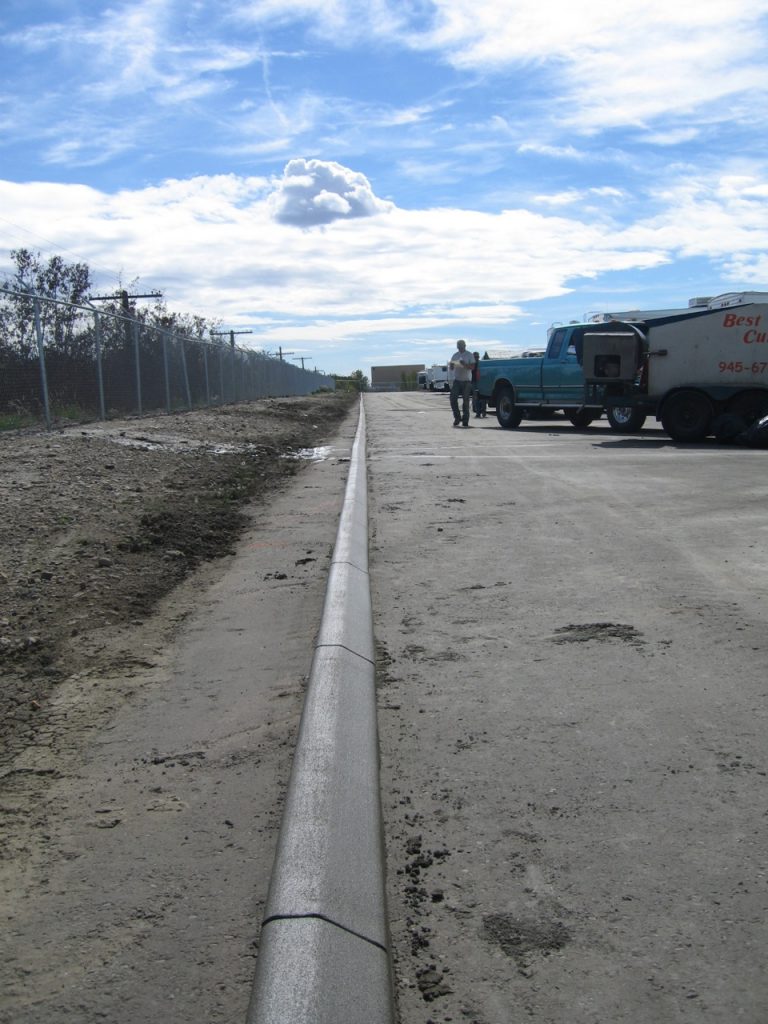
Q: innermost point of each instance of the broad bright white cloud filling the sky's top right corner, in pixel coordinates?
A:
(613, 68)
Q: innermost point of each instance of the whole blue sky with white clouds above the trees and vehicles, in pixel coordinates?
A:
(362, 184)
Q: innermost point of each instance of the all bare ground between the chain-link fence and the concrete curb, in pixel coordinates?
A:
(141, 800)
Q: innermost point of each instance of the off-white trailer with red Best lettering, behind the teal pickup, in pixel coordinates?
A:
(685, 367)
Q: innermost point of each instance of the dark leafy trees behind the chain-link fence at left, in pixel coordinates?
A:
(114, 348)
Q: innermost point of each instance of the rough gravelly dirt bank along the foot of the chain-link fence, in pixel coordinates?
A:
(99, 523)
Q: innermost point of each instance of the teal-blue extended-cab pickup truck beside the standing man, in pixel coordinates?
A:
(526, 389)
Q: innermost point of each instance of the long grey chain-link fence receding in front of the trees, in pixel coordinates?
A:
(60, 361)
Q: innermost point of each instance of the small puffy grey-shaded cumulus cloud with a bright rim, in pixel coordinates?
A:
(318, 192)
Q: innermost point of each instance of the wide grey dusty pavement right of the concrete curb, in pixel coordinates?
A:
(572, 647)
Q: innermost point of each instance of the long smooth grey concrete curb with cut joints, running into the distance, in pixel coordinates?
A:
(324, 954)
